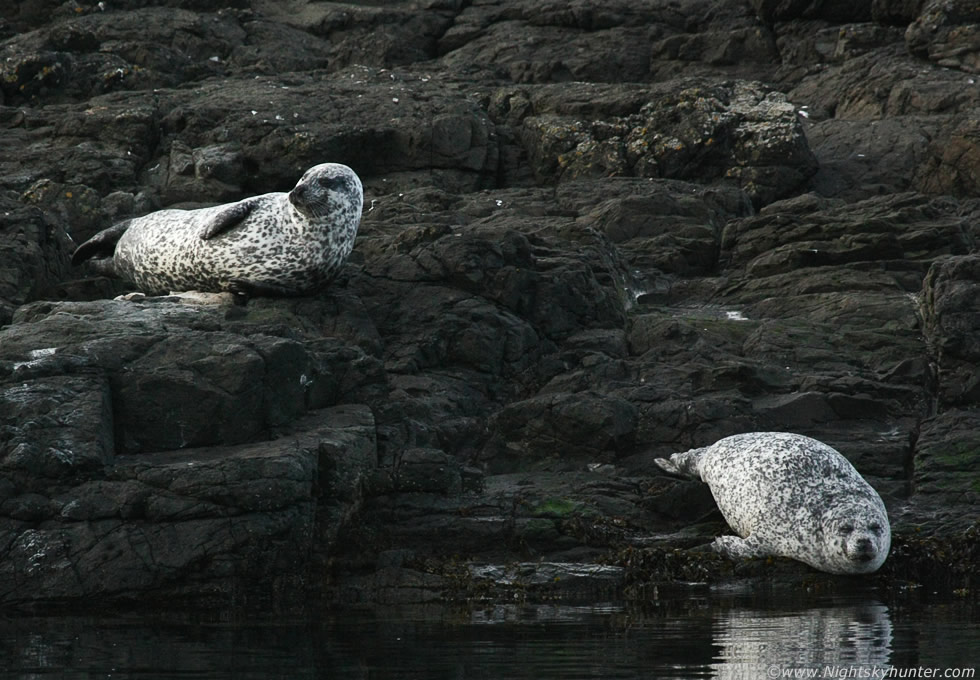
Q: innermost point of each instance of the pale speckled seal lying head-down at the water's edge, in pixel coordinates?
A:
(791, 496)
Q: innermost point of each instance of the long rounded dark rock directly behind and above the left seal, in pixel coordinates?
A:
(284, 125)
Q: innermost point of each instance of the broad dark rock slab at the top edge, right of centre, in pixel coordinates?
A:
(528, 42)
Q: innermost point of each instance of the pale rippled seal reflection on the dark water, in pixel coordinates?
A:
(832, 640)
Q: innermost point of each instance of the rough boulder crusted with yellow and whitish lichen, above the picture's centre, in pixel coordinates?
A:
(740, 131)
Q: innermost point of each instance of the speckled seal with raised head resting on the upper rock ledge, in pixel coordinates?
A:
(276, 244)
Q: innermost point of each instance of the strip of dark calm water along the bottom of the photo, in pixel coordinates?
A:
(689, 637)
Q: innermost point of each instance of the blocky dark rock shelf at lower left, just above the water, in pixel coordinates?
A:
(195, 525)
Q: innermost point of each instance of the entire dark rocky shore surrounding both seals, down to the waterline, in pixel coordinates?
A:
(593, 235)
